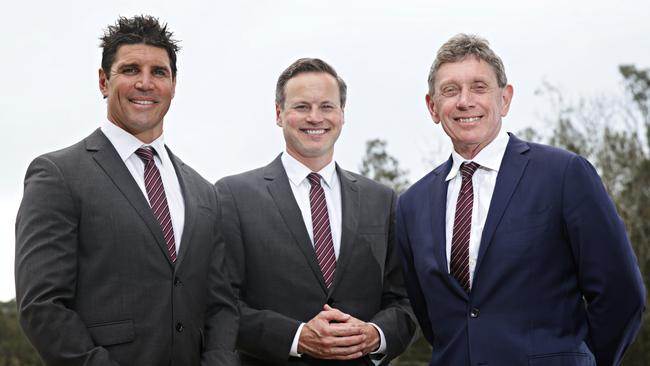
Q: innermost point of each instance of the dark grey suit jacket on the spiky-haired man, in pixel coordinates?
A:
(94, 282)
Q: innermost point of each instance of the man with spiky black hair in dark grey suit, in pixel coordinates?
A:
(118, 258)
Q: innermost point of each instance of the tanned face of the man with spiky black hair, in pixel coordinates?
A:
(139, 90)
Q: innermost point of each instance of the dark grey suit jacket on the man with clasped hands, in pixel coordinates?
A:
(276, 274)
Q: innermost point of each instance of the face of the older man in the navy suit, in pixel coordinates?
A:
(469, 103)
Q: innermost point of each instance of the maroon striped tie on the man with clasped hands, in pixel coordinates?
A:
(320, 221)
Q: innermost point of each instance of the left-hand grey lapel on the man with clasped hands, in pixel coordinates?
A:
(280, 190)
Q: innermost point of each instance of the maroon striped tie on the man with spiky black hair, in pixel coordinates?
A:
(157, 197)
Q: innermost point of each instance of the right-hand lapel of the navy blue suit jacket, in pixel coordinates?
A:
(512, 169)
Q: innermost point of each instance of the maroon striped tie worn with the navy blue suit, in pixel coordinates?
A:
(462, 226)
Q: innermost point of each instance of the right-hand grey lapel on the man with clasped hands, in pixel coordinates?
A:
(350, 222)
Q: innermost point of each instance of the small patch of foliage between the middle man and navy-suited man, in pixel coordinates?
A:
(383, 168)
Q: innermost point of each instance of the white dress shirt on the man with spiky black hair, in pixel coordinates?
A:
(126, 145)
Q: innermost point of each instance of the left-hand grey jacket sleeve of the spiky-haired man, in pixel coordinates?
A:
(47, 232)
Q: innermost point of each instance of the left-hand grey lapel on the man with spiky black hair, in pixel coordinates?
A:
(109, 160)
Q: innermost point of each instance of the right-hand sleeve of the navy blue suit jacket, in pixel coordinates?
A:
(608, 272)
